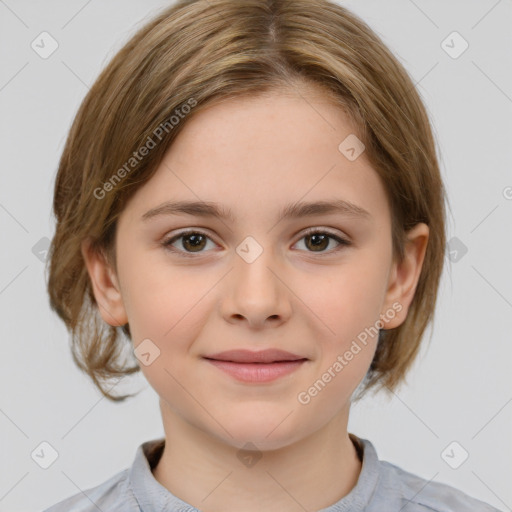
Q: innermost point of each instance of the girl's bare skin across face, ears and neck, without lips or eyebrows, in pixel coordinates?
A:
(256, 155)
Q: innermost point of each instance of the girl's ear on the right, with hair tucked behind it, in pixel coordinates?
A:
(404, 276)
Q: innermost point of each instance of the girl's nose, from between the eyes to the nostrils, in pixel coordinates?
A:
(256, 293)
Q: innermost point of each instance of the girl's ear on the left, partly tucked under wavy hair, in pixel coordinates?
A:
(105, 286)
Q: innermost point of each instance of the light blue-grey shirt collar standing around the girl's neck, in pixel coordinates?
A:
(154, 497)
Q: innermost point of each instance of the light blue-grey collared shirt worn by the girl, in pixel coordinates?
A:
(381, 487)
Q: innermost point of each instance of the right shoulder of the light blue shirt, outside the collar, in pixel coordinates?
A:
(417, 494)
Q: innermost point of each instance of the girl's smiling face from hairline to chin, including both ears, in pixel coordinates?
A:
(309, 283)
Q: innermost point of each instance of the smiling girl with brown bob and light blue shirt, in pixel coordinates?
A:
(250, 194)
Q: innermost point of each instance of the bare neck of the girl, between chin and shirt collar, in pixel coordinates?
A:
(213, 476)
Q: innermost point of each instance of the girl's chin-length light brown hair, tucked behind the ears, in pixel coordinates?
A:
(193, 54)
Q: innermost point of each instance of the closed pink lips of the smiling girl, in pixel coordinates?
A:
(262, 366)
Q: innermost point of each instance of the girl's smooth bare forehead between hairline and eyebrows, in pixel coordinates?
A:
(255, 154)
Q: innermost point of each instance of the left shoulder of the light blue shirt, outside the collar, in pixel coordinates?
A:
(114, 495)
